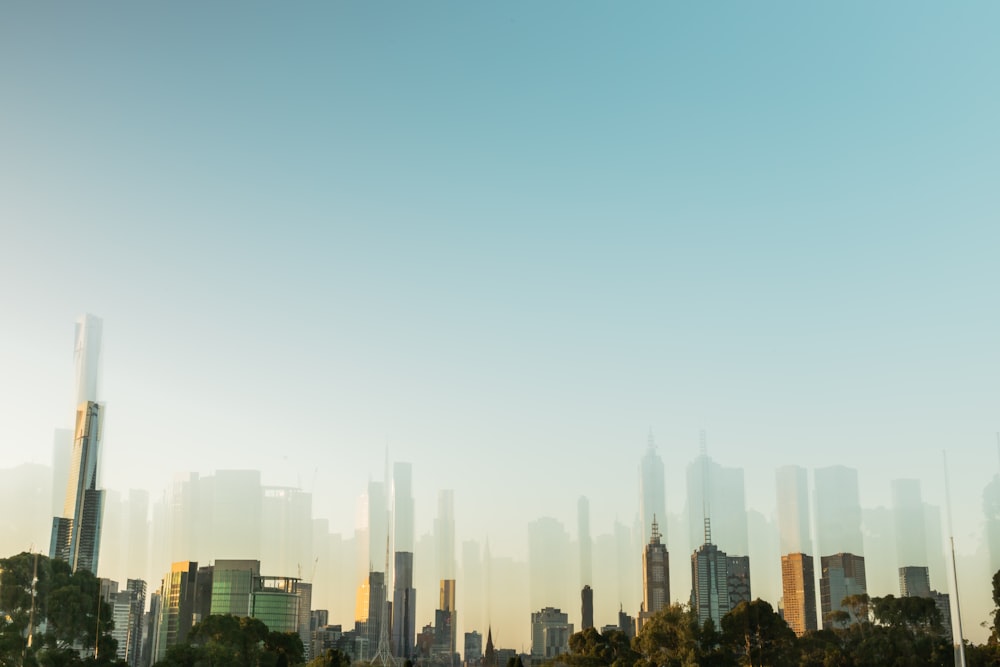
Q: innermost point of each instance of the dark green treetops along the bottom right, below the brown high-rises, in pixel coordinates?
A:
(898, 632)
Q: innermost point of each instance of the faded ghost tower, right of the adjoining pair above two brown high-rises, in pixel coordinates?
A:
(838, 511)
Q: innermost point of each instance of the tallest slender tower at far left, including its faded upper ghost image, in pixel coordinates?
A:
(76, 536)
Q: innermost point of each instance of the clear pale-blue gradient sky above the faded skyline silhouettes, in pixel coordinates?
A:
(505, 241)
